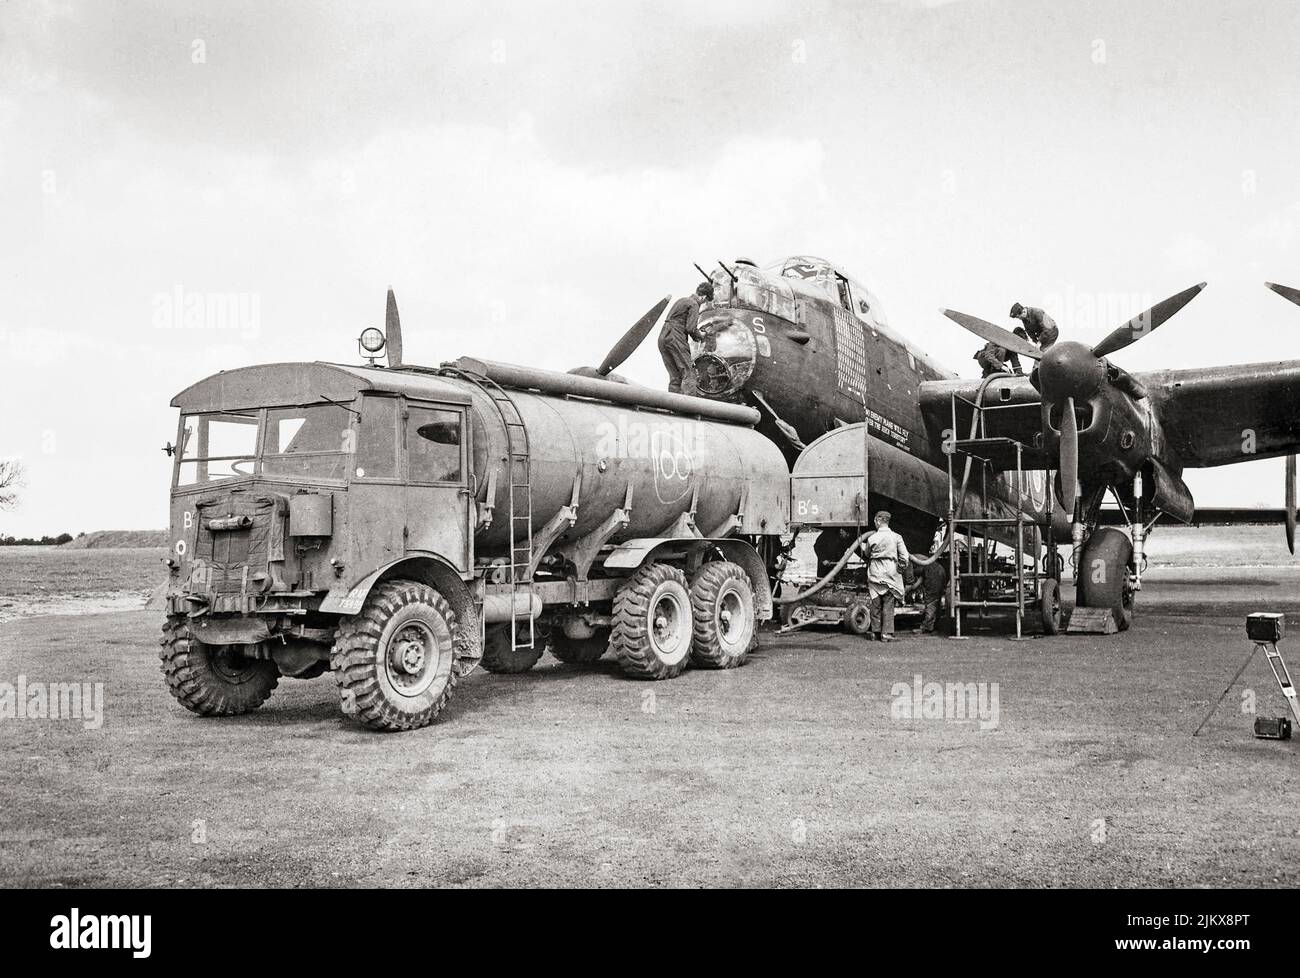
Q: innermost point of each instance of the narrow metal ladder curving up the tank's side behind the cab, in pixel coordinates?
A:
(519, 508)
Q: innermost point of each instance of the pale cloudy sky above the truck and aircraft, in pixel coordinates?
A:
(531, 178)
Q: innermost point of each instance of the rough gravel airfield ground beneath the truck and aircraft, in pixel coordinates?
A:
(788, 772)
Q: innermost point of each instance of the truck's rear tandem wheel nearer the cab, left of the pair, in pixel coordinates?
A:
(653, 624)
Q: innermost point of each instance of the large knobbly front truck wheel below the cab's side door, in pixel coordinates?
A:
(398, 661)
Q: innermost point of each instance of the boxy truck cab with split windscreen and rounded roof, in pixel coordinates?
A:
(283, 504)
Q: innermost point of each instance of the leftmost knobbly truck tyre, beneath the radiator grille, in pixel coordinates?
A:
(214, 681)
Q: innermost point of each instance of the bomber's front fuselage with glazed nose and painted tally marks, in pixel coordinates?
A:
(812, 352)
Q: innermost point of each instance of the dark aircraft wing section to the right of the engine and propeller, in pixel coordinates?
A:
(1220, 416)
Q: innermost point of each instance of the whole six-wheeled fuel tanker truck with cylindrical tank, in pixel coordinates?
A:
(402, 526)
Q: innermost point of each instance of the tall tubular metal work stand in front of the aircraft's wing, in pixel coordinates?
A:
(990, 456)
